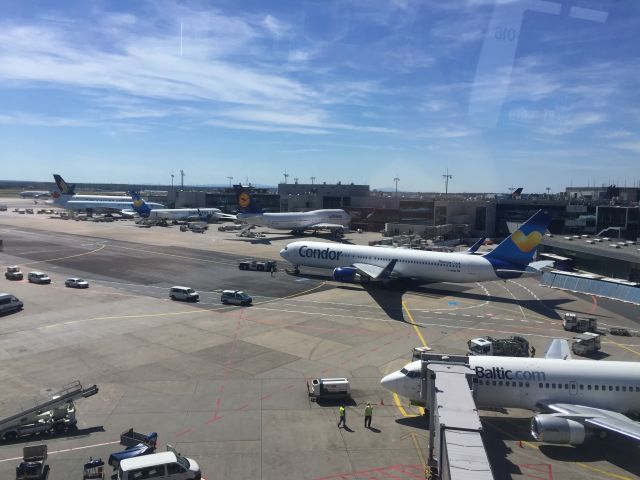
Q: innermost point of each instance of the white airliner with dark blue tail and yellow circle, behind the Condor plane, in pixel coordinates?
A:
(336, 221)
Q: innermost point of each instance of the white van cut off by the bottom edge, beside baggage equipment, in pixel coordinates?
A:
(165, 466)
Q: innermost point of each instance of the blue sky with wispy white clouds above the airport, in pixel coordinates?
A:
(501, 93)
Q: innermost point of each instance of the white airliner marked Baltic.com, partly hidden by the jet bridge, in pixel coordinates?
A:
(580, 398)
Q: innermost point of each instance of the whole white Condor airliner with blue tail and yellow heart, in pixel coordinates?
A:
(351, 263)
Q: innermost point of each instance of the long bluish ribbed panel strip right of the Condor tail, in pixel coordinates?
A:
(591, 286)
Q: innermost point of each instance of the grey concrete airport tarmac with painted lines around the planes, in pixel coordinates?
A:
(227, 386)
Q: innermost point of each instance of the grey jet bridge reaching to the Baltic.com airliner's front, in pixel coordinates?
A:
(456, 449)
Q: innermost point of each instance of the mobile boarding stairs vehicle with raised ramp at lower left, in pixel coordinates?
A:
(55, 412)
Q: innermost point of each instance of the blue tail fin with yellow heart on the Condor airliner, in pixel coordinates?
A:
(517, 249)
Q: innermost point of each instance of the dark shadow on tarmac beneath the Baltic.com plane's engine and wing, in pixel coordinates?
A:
(614, 449)
